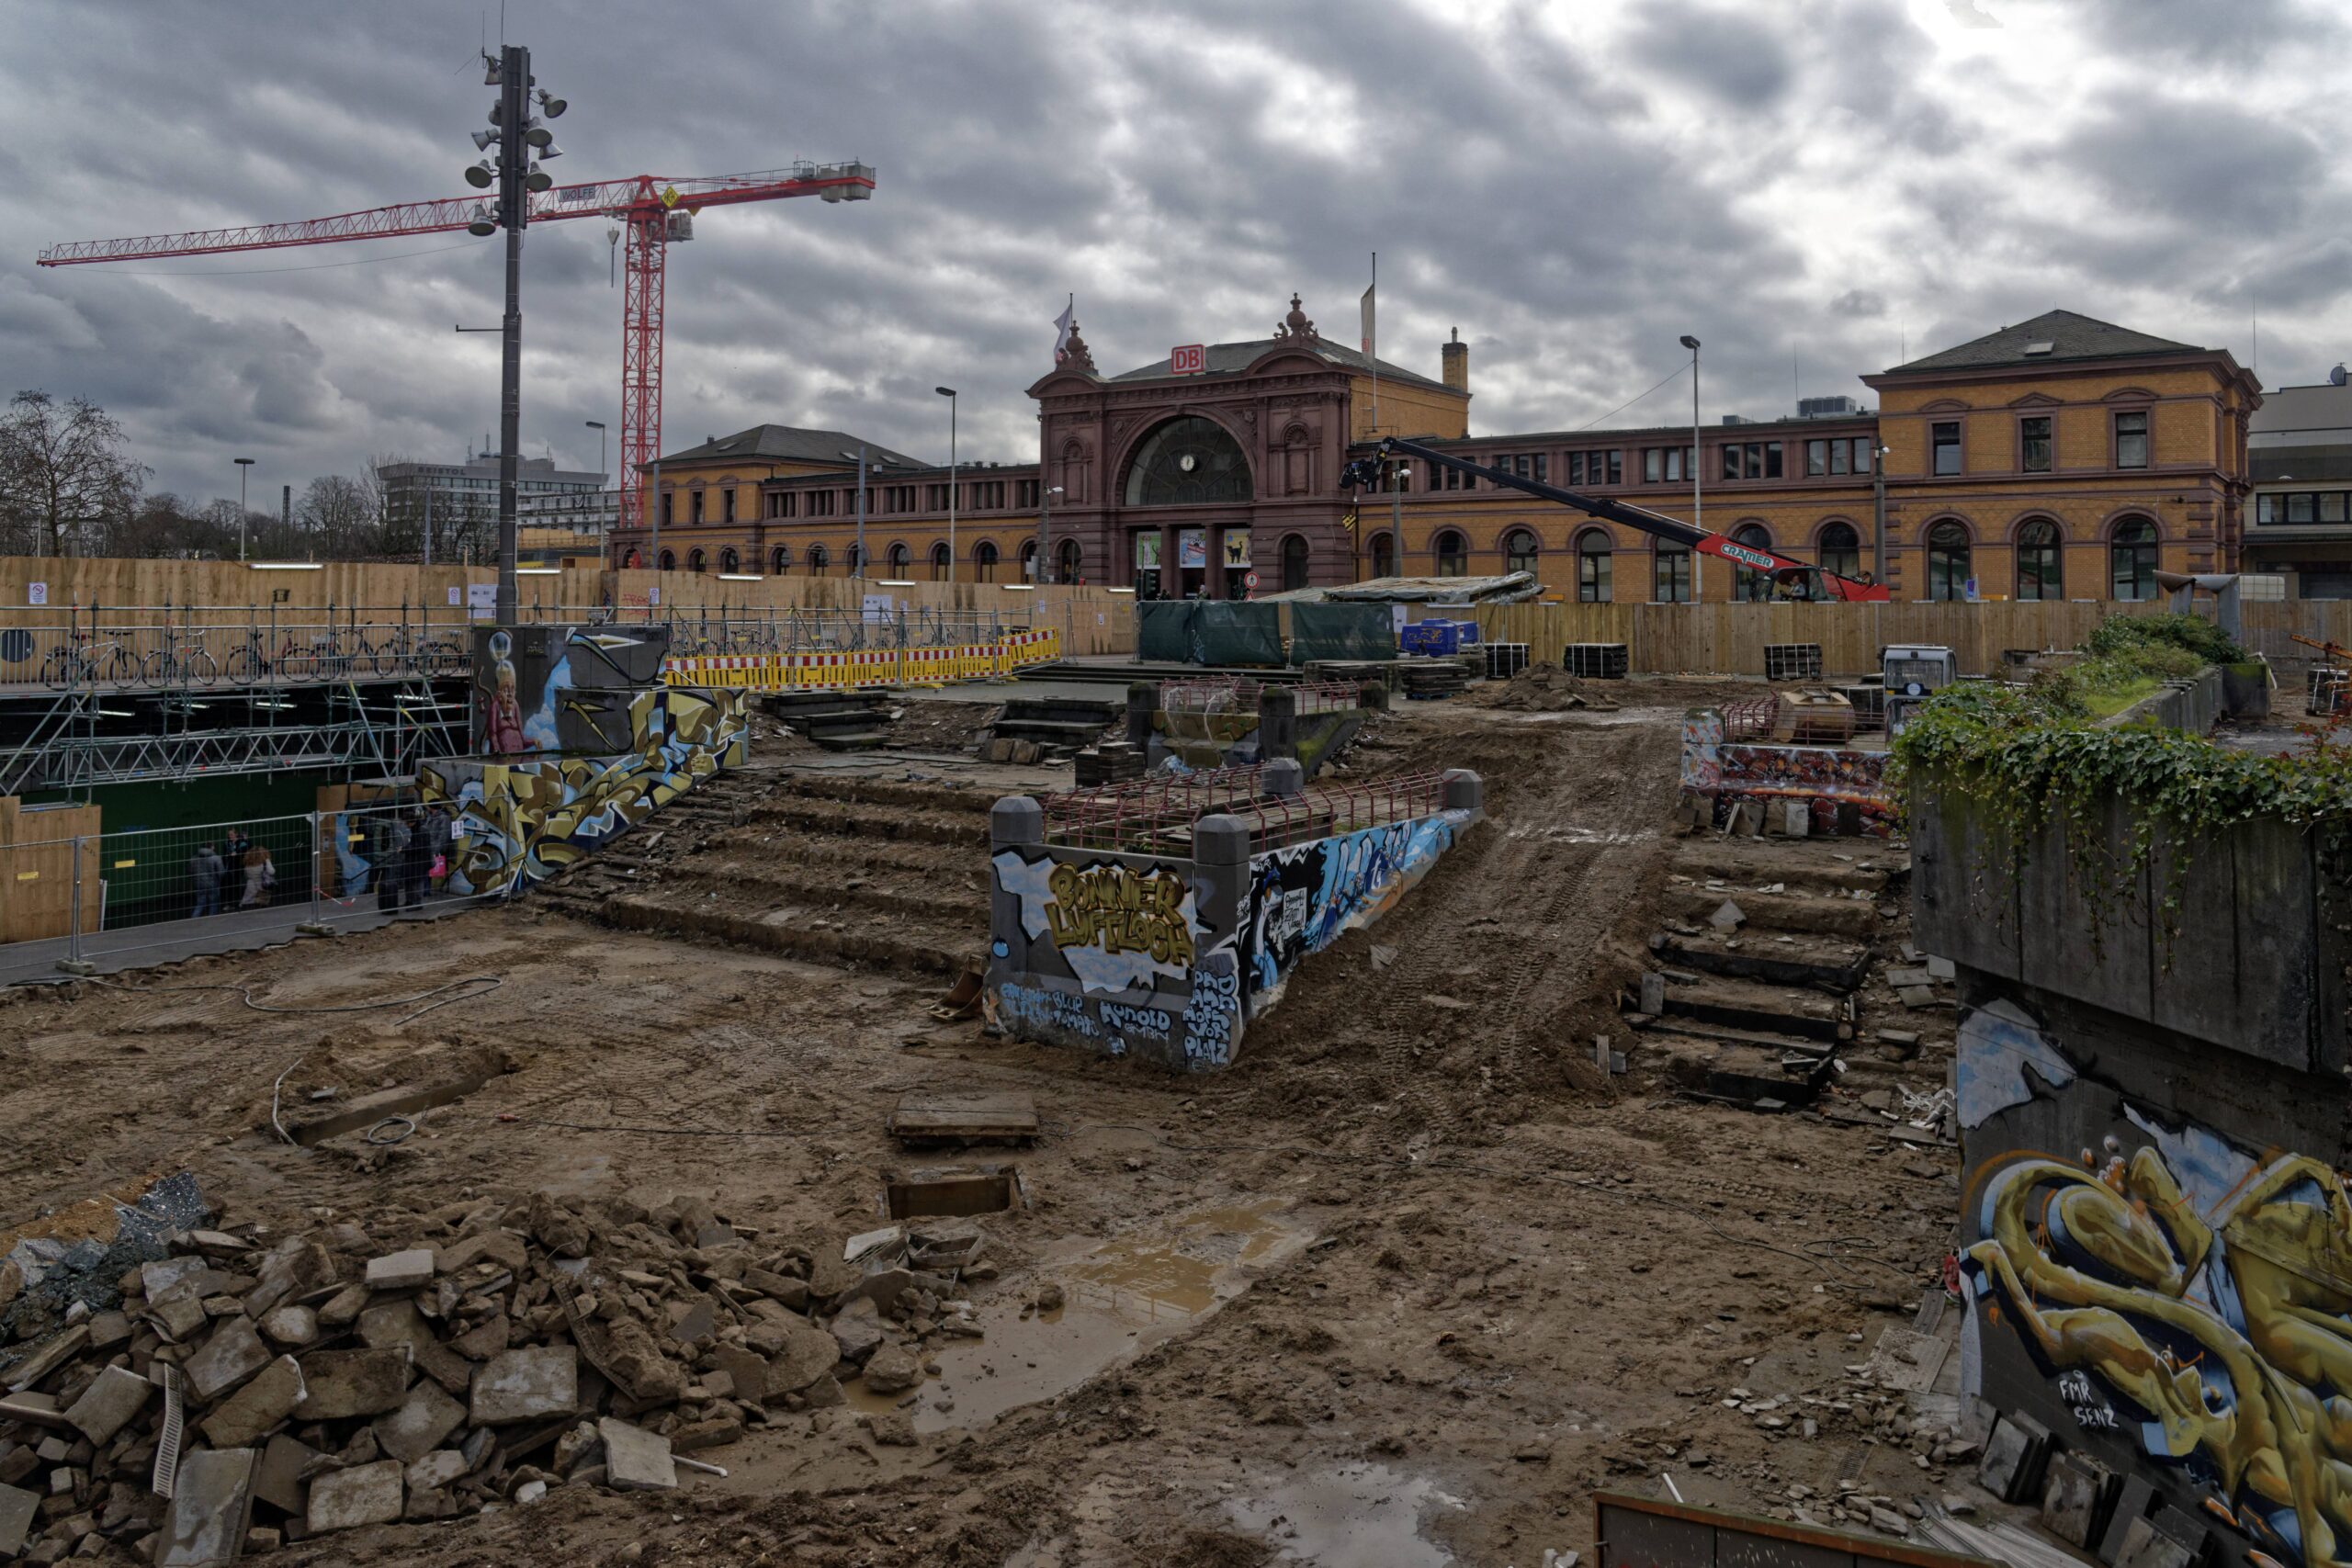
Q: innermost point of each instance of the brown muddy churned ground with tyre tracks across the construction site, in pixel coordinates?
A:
(1403, 1287)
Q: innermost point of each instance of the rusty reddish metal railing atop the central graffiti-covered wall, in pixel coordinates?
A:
(1156, 815)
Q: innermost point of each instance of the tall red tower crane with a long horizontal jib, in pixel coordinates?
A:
(650, 208)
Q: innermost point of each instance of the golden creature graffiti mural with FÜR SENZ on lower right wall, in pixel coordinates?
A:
(2170, 1287)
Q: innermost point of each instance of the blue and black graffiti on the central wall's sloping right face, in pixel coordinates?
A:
(1311, 894)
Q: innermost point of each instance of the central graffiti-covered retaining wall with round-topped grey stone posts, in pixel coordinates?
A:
(1165, 958)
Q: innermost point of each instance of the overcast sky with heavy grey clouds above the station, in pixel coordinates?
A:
(1805, 185)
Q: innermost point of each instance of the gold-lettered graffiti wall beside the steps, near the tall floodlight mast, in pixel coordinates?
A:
(521, 819)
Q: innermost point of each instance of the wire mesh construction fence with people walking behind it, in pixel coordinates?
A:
(182, 887)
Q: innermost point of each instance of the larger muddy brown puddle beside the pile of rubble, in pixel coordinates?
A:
(1121, 1296)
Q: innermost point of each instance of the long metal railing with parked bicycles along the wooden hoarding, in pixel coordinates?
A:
(86, 648)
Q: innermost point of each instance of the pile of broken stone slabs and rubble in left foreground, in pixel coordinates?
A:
(243, 1391)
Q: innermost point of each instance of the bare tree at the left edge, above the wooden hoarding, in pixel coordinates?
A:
(65, 474)
